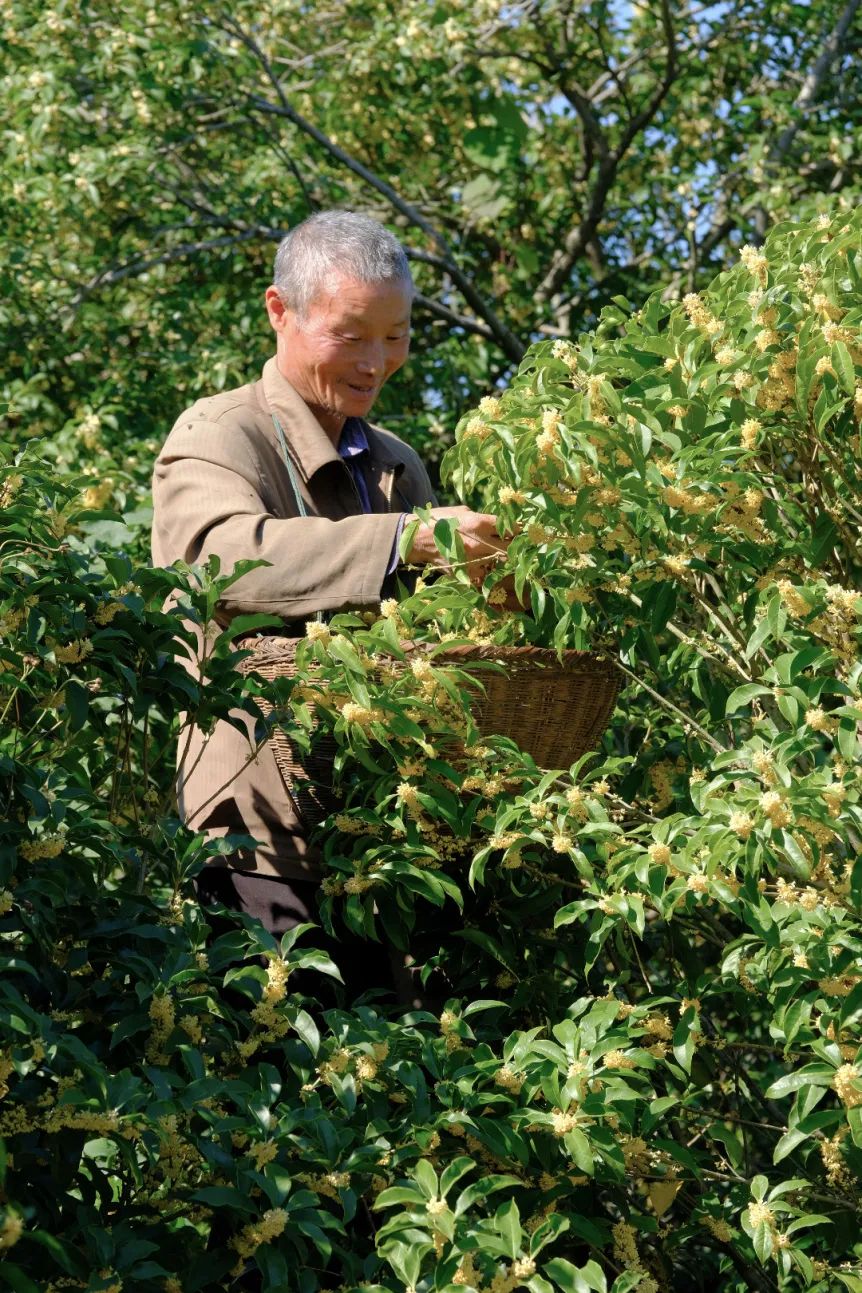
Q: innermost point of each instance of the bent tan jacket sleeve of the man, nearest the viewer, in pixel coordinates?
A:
(206, 500)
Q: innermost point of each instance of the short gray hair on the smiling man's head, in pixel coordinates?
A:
(331, 242)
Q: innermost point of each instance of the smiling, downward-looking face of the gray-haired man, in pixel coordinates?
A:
(352, 339)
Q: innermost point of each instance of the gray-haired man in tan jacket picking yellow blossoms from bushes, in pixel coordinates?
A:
(288, 470)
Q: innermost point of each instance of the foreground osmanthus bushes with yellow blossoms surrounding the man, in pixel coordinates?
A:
(636, 1062)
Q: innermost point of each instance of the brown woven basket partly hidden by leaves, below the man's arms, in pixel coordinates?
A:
(555, 709)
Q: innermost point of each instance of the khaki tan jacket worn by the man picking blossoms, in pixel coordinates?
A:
(222, 487)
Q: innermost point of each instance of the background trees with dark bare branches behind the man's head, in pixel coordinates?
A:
(537, 158)
